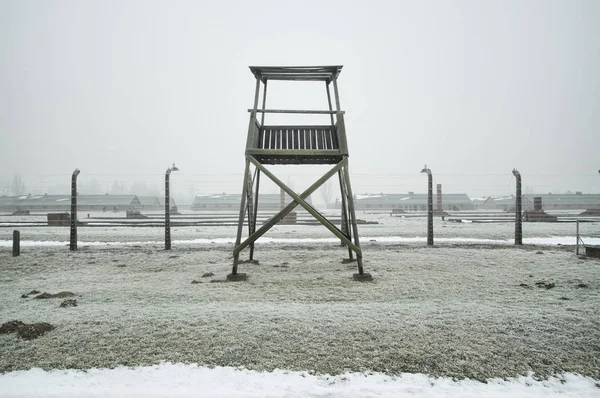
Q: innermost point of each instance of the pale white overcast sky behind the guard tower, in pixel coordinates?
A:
(472, 88)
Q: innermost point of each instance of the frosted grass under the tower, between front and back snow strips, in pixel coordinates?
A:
(457, 311)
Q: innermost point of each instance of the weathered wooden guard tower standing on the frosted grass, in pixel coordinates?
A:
(296, 145)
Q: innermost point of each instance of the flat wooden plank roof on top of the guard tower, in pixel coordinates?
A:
(302, 73)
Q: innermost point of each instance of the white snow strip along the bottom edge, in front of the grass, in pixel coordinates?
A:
(178, 380)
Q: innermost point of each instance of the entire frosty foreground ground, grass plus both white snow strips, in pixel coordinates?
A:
(468, 308)
